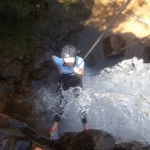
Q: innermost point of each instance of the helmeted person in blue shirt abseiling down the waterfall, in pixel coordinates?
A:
(71, 68)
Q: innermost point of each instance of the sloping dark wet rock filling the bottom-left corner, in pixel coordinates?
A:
(16, 135)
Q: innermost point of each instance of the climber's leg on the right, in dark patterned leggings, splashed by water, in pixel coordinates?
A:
(81, 106)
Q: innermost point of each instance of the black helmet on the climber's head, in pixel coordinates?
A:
(68, 51)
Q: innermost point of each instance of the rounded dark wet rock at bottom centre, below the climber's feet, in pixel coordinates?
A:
(86, 140)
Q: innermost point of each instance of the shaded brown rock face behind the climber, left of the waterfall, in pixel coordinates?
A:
(50, 32)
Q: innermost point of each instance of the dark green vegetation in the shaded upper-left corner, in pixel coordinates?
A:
(15, 24)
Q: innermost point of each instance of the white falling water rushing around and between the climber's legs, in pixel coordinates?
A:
(117, 100)
